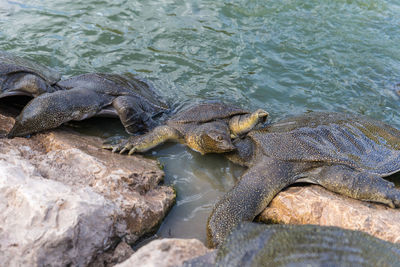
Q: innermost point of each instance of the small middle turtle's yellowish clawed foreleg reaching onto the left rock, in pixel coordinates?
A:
(145, 142)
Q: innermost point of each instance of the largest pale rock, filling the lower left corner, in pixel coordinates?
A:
(64, 200)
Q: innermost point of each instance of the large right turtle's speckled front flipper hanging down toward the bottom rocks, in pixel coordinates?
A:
(252, 193)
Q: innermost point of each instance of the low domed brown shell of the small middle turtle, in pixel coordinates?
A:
(205, 112)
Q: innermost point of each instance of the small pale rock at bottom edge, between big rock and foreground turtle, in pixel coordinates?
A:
(166, 252)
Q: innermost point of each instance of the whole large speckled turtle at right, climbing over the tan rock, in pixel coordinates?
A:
(347, 154)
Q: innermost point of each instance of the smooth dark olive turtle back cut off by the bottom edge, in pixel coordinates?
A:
(252, 244)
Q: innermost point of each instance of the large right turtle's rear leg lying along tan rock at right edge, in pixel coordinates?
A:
(359, 185)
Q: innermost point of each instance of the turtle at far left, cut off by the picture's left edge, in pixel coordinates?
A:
(19, 76)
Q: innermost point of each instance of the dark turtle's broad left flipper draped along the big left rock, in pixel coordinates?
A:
(50, 110)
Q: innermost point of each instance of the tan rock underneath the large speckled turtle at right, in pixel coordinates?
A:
(315, 205)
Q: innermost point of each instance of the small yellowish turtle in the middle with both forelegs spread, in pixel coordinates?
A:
(204, 127)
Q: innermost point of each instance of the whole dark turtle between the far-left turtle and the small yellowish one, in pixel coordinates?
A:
(94, 94)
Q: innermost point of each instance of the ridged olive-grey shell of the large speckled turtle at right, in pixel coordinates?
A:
(335, 138)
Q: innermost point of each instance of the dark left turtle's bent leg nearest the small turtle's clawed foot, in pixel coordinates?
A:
(133, 114)
